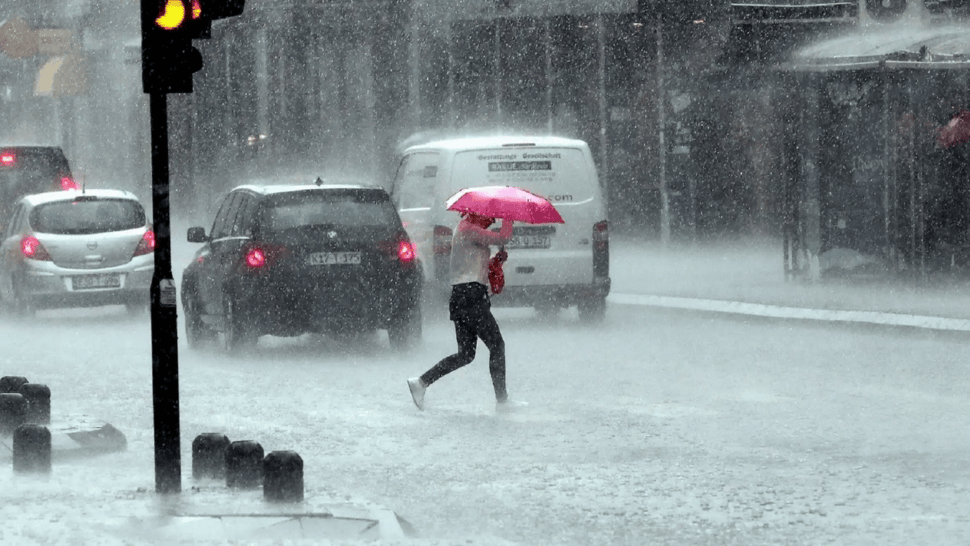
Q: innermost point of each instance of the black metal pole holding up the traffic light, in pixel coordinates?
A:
(165, 385)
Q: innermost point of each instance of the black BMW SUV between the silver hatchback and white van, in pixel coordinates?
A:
(296, 259)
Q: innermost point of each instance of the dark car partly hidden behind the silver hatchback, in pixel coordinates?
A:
(26, 170)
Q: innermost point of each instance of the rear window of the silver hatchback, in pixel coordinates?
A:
(88, 216)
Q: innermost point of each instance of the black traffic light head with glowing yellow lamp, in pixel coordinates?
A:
(167, 30)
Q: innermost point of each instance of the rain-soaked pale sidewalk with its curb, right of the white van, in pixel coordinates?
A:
(747, 277)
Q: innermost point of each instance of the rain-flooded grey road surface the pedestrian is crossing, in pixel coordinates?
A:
(659, 427)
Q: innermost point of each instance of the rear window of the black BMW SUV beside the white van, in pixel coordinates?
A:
(326, 208)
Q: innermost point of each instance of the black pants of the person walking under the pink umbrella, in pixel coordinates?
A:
(471, 312)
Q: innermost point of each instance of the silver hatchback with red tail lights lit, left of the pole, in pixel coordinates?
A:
(77, 248)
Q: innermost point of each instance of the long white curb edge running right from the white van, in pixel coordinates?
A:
(796, 313)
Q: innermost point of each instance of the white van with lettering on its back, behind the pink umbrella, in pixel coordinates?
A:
(550, 266)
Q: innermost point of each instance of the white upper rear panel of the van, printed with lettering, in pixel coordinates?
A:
(559, 174)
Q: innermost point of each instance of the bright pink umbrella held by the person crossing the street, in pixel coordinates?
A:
(506, 202)
